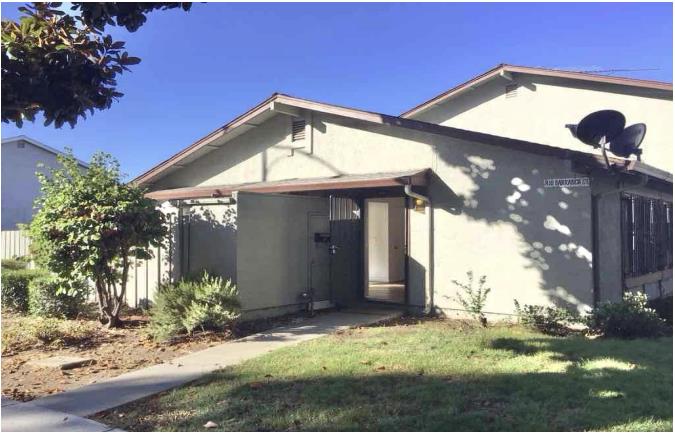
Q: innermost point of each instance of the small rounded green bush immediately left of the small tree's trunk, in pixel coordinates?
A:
(46, 298)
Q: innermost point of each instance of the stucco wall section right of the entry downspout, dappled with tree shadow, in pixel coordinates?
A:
(493, 216)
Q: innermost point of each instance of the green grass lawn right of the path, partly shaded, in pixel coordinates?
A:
(430, 376)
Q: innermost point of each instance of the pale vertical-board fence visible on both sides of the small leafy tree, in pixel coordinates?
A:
(144, 275)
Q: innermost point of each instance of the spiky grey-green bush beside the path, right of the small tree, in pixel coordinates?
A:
(206, 302)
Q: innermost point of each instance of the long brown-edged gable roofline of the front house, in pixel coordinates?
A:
(289, 105)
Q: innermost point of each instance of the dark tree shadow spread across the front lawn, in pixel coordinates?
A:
(601, 385)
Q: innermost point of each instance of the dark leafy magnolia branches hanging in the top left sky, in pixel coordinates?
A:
(58, 62)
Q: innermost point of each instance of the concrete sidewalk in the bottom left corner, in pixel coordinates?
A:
(17, 416)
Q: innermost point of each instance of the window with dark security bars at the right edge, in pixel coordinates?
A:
(647, 235)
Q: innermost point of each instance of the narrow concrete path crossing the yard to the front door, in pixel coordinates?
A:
(94, 398)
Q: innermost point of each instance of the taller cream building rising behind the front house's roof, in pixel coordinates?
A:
(531, 103)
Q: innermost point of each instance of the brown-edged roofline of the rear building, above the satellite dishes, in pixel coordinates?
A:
(504, 70)
